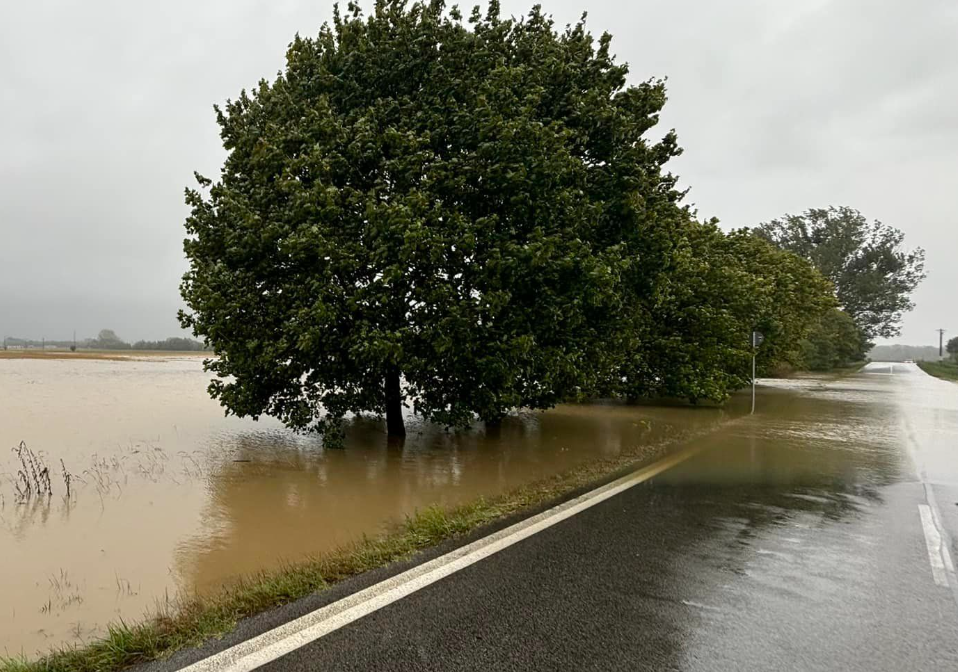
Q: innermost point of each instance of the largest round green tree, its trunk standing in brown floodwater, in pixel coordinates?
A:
(464, 215)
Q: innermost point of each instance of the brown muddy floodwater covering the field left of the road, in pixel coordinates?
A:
(170, 496)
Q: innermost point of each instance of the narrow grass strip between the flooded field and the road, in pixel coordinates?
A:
(188, 622)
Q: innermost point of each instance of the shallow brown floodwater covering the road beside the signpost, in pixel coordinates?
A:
(809, 433)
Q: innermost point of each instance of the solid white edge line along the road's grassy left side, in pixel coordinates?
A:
(267, 647)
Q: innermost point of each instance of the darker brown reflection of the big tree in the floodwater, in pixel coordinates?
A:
(273, 502)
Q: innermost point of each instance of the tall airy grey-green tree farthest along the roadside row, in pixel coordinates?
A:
(873, 275)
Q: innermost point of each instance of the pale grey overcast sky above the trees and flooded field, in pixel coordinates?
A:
(106, 110)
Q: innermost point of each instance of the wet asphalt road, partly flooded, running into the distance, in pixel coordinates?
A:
(801, 539)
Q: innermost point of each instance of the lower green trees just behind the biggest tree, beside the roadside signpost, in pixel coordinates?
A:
(718, 289)
